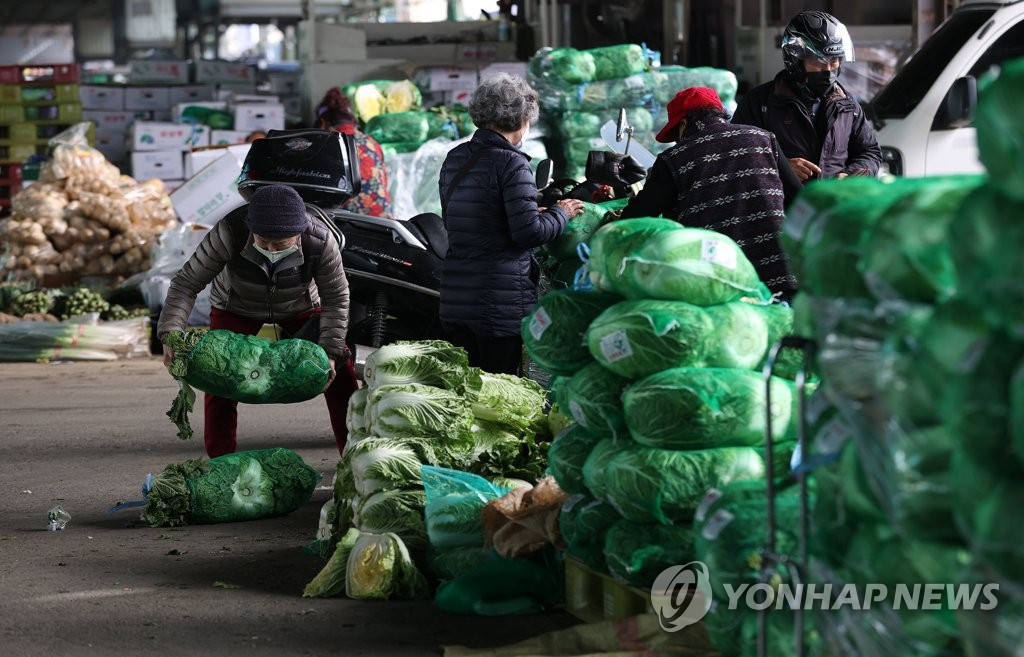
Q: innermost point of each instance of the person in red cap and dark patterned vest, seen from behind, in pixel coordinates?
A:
(722, 178)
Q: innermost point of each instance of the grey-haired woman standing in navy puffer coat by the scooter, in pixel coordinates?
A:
(489, 203)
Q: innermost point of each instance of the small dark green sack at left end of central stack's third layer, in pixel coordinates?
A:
(593, 398)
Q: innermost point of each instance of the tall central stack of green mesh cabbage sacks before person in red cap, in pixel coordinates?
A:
(660, 369)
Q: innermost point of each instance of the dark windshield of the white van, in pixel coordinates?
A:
(909, 87)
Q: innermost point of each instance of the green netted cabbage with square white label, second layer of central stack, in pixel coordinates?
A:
(638, 338)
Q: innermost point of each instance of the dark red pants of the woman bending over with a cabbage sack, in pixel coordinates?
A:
(223, 415)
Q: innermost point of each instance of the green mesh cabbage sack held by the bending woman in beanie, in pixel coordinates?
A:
(245, 369)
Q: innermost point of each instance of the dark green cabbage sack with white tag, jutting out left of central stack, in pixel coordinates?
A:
(553, 332)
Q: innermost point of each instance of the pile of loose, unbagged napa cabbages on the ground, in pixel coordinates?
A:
(422, 405)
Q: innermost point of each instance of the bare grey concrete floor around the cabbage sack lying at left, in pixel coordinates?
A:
(84, 435)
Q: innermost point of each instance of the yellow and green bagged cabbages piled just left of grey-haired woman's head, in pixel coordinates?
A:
(392, 112)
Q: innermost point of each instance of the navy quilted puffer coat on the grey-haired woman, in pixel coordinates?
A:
(490, 280)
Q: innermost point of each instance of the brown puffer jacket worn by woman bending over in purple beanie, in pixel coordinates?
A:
(247, 285)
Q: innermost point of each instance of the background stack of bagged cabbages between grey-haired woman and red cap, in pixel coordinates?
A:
(580, 91)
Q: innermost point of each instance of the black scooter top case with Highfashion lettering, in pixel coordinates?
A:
(321, 165)
